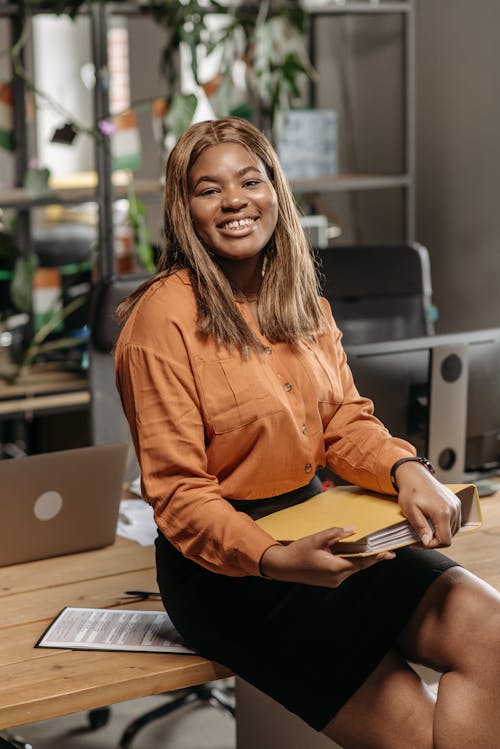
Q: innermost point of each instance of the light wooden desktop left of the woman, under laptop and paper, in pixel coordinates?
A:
(36, 684)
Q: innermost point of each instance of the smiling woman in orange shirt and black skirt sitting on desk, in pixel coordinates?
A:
(233, 405)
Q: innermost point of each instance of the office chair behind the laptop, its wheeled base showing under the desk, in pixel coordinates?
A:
(108, 424)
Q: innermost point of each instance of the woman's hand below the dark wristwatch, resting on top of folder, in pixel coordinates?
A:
(431, 508)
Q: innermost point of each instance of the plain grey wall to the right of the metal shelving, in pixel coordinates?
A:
(458, 152)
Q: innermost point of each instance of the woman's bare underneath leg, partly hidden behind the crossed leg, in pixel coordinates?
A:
(393, 709)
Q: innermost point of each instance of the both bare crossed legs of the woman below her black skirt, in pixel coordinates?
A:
(455, 630)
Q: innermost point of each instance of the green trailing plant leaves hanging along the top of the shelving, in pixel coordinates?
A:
(264, 37)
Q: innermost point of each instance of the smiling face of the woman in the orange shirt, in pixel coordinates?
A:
(232, 201)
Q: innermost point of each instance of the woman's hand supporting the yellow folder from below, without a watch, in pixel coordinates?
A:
(310, 560)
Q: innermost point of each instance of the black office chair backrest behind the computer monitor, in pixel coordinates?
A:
(378, 292)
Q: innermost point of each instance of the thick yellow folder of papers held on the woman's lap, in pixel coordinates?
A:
(378, 522)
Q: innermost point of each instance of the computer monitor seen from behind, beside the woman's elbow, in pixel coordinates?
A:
(441, 393)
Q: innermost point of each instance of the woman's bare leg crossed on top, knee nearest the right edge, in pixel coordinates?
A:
(456, 630)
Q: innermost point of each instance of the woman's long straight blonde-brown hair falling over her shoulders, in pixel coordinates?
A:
(289, 308)
